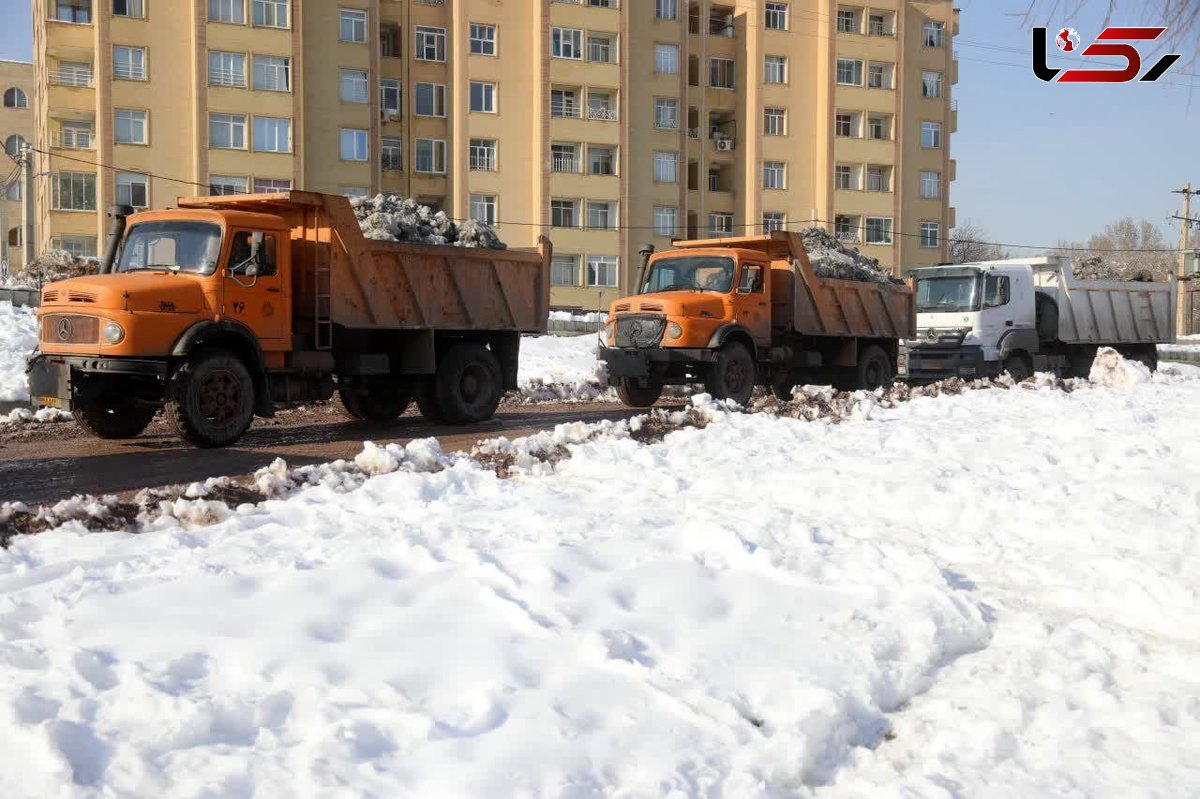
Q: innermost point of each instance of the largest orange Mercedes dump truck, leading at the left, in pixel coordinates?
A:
(229, 308)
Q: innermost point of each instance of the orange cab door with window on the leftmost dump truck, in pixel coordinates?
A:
(257, 302)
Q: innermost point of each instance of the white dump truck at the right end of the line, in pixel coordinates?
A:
(1028, 315)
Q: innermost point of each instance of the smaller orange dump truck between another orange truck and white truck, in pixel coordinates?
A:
(734, 314)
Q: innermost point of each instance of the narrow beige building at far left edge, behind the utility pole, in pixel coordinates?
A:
(16, 130)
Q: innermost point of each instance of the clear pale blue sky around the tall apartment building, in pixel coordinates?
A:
(1037, 163)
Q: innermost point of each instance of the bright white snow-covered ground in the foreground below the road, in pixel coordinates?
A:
(986, 596)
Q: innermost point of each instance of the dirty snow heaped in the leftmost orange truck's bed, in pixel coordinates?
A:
(388, 218)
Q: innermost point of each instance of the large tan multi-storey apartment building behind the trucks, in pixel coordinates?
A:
(605, 124)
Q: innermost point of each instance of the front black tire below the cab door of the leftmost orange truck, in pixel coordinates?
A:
(211, 400)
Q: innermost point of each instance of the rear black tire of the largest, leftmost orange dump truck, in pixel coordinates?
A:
(467, 387)
